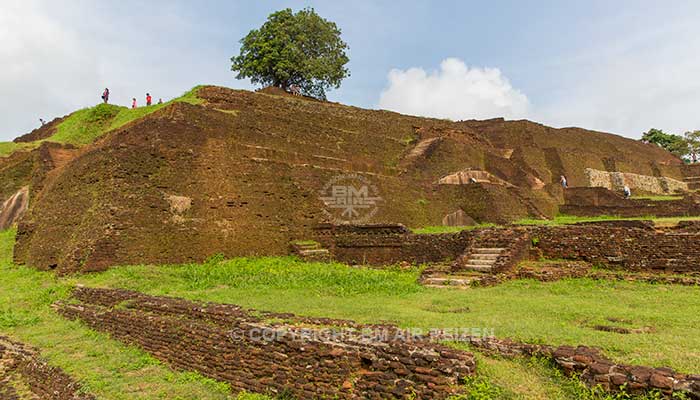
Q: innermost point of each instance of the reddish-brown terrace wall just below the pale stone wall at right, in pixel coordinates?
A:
(596, 201)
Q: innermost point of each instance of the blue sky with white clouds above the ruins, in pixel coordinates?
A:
(620, 67)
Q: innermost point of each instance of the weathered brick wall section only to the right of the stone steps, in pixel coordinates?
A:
(630, 245)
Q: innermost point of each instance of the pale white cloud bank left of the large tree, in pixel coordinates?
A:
(55, 59)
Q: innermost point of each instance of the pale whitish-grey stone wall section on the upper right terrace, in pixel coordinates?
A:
(640, 183)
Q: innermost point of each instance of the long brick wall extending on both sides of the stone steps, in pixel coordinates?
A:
(636, 246)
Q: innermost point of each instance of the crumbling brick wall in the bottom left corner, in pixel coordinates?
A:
(21, 363)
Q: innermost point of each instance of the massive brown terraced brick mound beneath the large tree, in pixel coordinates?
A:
(240, 173)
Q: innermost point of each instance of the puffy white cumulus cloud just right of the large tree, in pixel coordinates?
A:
(454, 91)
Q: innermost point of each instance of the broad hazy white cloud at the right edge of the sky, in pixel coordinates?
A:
(643, 80)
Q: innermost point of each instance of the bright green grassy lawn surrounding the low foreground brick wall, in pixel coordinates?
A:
(558, 313)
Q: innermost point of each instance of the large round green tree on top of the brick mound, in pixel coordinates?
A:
(290, 48)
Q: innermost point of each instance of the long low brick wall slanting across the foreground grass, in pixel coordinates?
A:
(277, 353)
